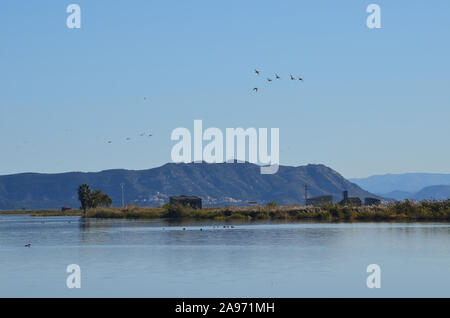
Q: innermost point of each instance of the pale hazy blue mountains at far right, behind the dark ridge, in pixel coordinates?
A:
(417, 186)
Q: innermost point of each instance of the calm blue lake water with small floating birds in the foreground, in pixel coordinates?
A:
(120, 258)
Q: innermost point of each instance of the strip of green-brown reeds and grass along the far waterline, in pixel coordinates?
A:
(331, 212)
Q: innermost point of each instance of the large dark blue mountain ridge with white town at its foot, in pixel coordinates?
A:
(216, 184)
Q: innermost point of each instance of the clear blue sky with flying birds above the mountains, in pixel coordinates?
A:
(373, 101)
